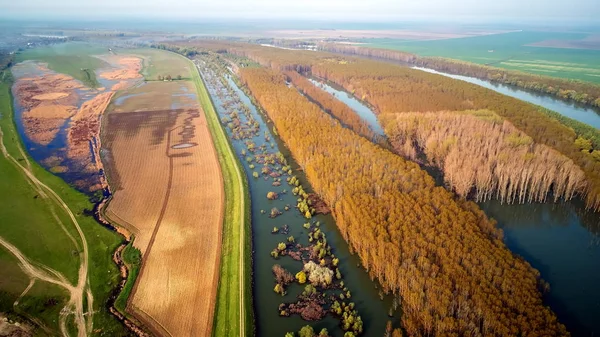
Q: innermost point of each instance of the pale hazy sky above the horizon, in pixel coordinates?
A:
(338, 10)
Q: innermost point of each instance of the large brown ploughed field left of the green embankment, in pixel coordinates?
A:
(172, 199)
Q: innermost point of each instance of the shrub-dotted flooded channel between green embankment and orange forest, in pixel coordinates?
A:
(364, 292)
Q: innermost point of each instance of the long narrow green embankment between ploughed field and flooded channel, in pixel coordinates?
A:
(234, 314)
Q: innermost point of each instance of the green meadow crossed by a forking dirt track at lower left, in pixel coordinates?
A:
(28, 223)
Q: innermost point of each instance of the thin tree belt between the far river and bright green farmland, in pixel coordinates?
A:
(578, 91)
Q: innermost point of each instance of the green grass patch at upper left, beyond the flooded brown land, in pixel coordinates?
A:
(71, 58)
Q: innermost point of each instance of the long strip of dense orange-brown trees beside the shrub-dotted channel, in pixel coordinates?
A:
(443, 258)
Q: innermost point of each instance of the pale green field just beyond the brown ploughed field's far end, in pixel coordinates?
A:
(159, 63)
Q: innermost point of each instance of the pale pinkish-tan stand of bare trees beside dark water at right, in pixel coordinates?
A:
(480, 152)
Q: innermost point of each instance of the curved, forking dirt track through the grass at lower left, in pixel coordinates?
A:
(44, 273)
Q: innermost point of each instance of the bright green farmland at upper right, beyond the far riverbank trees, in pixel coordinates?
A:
(510, 51)
